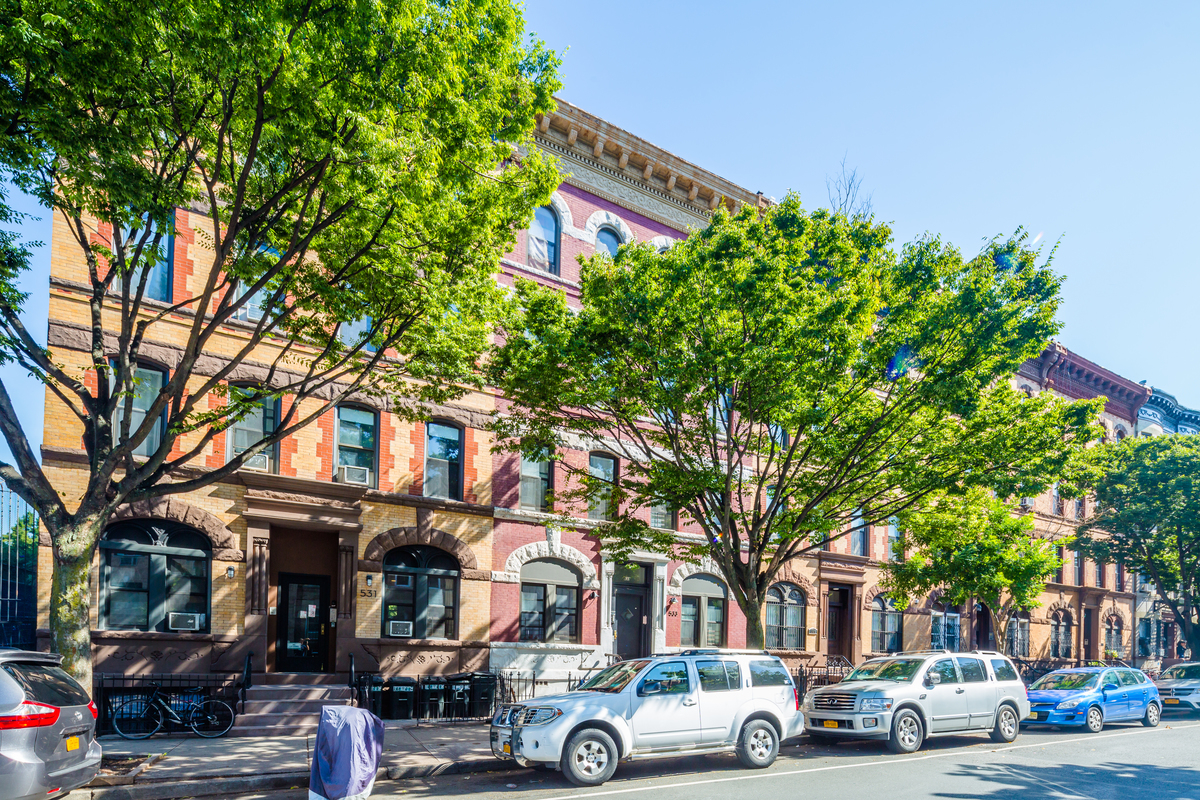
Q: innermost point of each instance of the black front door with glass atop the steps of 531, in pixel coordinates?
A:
(303, 643)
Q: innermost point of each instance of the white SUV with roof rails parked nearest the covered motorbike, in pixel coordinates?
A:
(679, 705)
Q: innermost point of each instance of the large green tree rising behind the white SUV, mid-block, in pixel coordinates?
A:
(775, 376)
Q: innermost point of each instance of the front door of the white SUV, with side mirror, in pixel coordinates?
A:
(665, 708)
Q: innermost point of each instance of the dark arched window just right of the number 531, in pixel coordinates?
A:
(421, 598)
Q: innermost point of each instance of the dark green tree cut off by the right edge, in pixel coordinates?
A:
(1148, 518)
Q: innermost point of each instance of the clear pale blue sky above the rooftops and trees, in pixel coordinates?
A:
(1075, 121)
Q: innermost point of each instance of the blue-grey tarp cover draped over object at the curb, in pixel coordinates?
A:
(346, 759)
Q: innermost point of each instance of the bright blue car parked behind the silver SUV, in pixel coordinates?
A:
(1094, 696)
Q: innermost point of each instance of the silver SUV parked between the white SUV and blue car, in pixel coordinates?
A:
(909, 697)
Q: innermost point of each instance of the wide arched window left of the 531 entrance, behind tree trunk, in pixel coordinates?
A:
(154, 576)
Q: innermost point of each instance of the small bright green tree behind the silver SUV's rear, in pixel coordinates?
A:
(973, 548)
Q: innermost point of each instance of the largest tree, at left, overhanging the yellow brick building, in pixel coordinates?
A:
(359, 169)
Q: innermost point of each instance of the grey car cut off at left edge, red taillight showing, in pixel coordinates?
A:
(47, 727)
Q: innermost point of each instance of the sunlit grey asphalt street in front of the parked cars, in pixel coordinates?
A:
(1123, 762)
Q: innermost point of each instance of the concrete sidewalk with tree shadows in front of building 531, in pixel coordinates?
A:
(193, 767)
